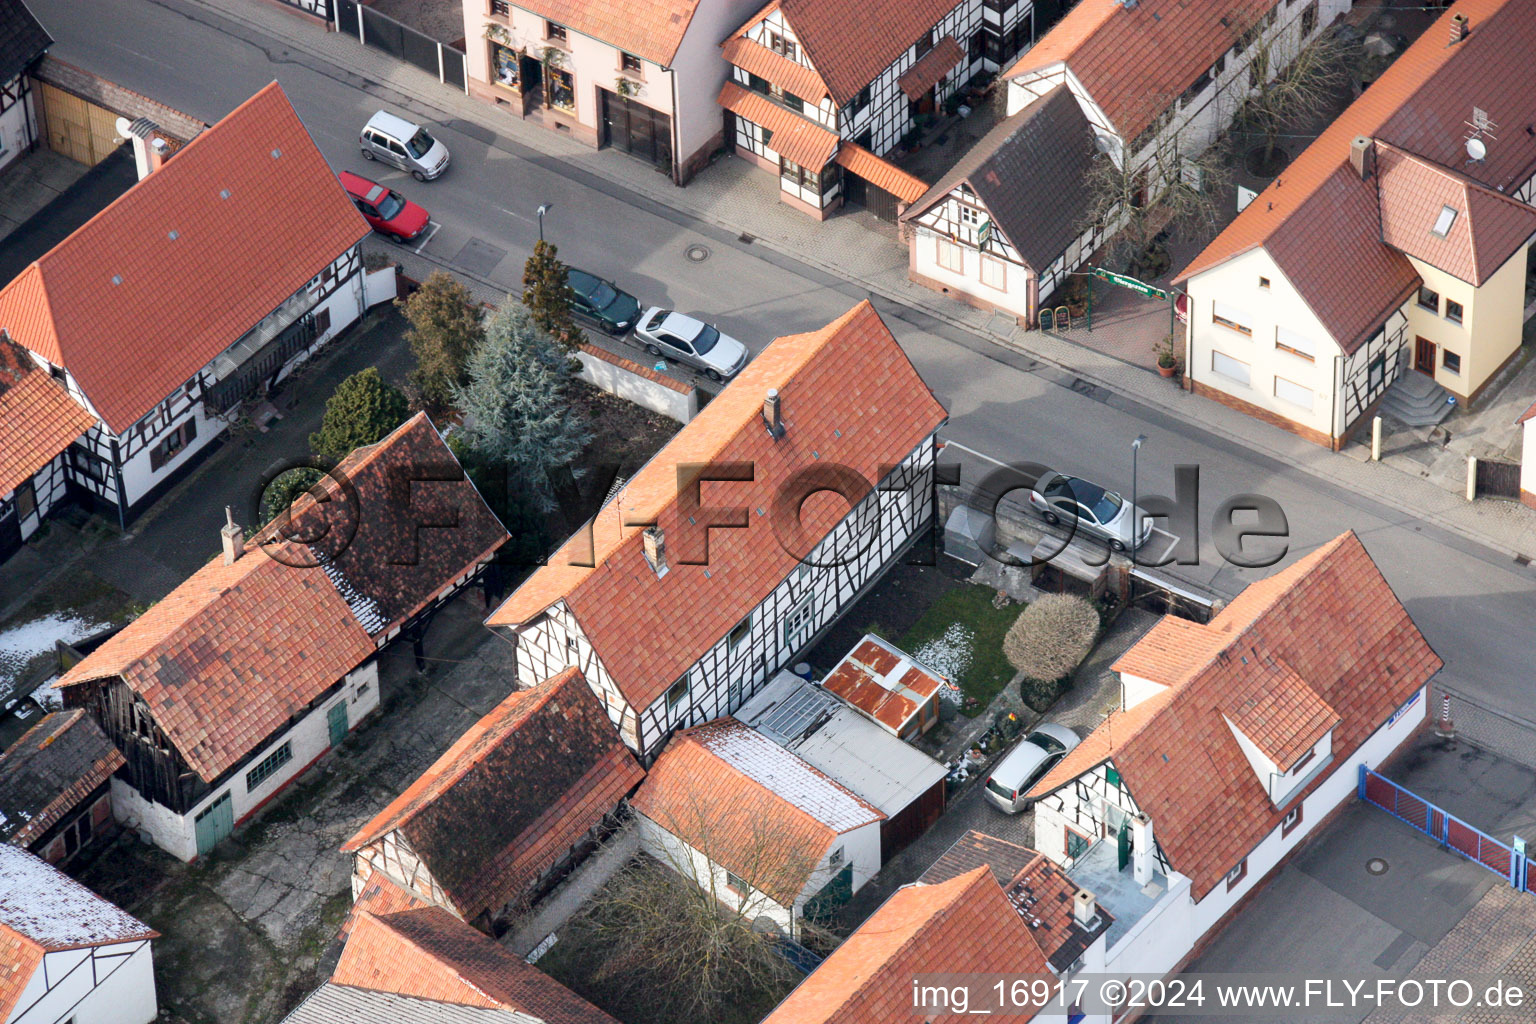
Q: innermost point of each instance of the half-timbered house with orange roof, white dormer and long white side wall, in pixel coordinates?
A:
(1233, 742)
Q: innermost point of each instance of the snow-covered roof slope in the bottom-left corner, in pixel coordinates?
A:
(56, 911)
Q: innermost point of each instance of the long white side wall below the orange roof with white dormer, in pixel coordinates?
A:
(1171, 930)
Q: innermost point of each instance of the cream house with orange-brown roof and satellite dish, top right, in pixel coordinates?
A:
(1400, 240)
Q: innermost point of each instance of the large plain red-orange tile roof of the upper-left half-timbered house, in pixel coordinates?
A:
(171, 274)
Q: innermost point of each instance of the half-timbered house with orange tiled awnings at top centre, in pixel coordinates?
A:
(823, 93)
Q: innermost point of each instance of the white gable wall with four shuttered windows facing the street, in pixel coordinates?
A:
(1237, 283)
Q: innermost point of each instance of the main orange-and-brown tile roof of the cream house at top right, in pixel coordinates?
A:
(1322, 223)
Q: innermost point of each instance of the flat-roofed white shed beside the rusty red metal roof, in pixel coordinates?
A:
(907, 785)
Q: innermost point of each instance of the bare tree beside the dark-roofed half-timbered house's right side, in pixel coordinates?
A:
(1159, 182)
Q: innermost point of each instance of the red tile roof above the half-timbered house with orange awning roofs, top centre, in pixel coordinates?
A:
(850, 44)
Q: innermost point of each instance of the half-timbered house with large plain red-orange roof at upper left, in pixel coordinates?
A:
(170, 311)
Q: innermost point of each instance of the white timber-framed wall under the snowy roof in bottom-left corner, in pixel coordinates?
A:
(118, 989)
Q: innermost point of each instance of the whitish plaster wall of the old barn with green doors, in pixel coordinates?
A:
(177, 833)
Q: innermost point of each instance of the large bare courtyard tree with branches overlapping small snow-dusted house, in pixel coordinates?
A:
(686, 937)
